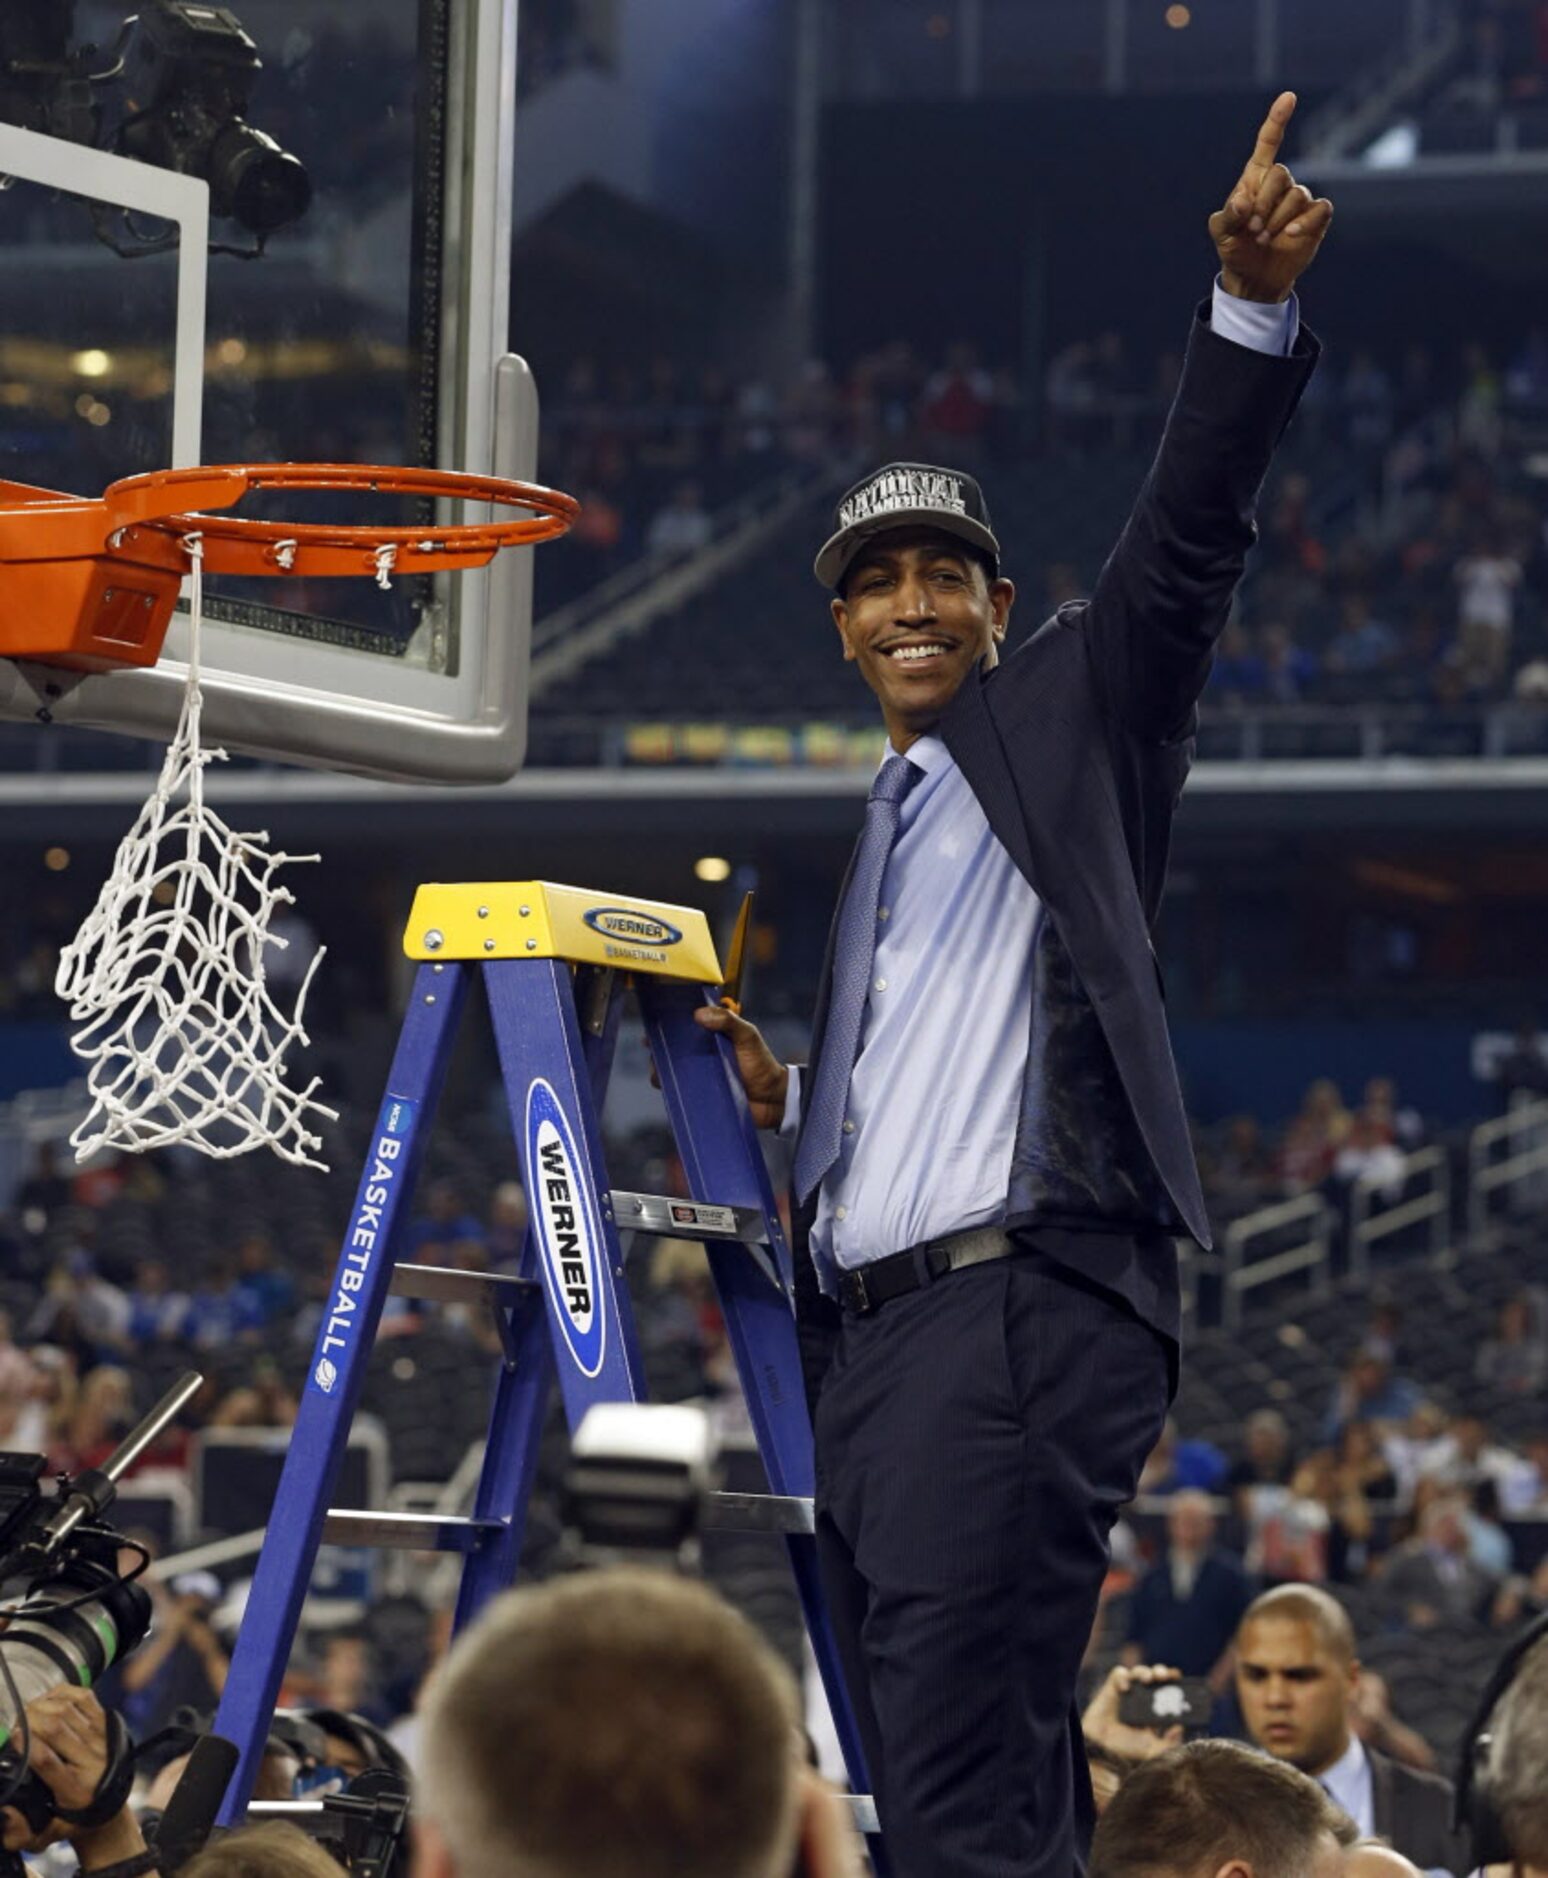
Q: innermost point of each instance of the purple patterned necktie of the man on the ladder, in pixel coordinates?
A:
(822, 1135)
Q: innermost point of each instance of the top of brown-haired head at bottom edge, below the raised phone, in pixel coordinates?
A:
(1215, 1809)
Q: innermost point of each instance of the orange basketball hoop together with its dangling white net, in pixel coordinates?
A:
(166, 979)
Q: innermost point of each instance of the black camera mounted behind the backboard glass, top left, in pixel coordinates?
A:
(172, 91)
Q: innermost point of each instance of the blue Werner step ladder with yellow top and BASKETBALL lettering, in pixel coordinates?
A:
(555, 962)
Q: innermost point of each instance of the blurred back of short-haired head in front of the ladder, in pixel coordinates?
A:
(655, 1732)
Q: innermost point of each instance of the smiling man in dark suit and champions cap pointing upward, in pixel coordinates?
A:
(991, 1145)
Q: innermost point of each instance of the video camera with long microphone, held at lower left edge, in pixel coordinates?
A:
(67, 1609)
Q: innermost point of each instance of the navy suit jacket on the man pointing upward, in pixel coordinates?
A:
(1077, 748)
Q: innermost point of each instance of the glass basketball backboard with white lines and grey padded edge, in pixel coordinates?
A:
(178, 292)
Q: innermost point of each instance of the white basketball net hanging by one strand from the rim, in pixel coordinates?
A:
(166, 979)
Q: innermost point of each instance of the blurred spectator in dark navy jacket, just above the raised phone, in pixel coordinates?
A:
(1188, 1605)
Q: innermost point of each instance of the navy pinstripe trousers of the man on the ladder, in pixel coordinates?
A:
(976, 1441)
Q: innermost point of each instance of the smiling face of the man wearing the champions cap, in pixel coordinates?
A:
(918, 613)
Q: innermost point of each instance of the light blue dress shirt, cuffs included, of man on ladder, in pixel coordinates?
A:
(937, 1092)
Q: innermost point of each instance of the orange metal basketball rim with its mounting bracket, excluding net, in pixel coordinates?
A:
(93, 583)
